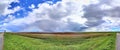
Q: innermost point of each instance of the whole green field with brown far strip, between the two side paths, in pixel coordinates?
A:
(60, 41)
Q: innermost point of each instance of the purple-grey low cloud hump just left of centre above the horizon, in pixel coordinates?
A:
(47, 25)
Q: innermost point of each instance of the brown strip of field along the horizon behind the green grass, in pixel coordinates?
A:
(62, 34)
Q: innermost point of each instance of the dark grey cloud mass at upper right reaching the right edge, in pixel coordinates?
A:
(94, 14)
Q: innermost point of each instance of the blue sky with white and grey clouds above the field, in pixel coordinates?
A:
(59, 15)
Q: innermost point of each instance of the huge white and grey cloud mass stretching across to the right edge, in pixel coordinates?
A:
(70, 15)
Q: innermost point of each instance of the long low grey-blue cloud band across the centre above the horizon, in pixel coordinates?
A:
(53, 26)
